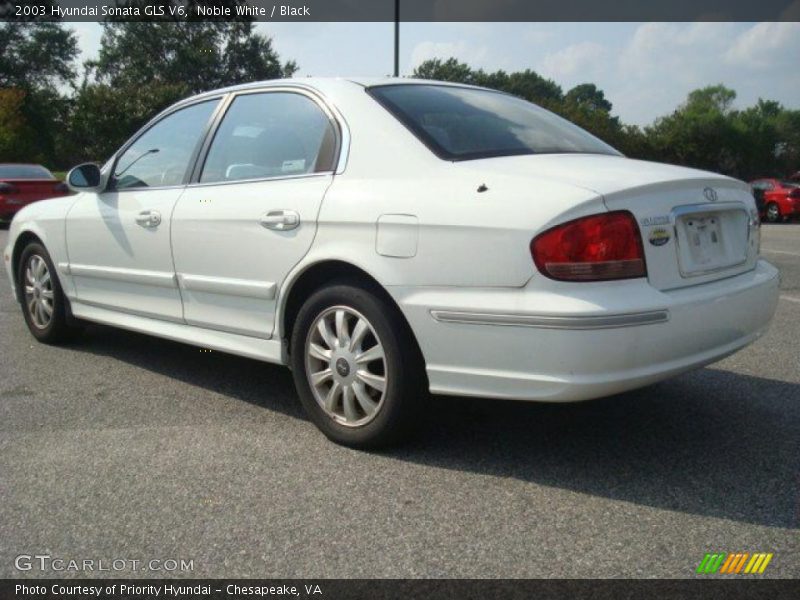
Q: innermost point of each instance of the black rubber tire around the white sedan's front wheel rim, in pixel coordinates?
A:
(58, 330)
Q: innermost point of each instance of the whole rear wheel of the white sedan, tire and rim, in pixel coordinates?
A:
(356, 367)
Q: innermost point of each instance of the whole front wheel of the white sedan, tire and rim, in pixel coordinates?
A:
(43, 302)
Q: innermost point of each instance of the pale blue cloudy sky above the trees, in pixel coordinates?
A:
(645, 69)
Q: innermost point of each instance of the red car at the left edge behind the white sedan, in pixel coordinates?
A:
(22, 184)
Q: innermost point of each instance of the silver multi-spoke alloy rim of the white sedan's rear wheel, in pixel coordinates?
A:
(346, 366)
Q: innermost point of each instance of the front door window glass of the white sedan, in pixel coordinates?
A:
(161, 155)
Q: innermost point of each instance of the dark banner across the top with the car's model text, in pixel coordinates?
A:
(409, 10)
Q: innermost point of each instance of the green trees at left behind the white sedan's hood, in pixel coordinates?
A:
(51, 113)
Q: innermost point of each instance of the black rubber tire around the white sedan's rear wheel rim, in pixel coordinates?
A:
(405, 379)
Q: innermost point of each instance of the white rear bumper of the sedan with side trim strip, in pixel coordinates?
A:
(501, 343)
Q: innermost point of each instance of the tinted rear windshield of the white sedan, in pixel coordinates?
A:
(465, 123)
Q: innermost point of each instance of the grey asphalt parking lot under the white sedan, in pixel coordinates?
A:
(122, 446)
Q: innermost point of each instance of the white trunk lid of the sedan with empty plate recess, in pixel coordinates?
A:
(696, 226)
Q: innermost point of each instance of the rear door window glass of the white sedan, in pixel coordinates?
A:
(271, 134)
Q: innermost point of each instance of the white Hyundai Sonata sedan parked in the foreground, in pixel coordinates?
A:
(386, 238)
